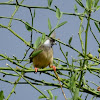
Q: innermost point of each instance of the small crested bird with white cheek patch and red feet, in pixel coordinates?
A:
(45, 57)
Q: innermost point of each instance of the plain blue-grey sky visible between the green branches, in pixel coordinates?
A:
(12, 46)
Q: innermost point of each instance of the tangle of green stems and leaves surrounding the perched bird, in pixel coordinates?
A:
(72, 73)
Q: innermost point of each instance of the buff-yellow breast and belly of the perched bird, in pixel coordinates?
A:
(44, 58)
